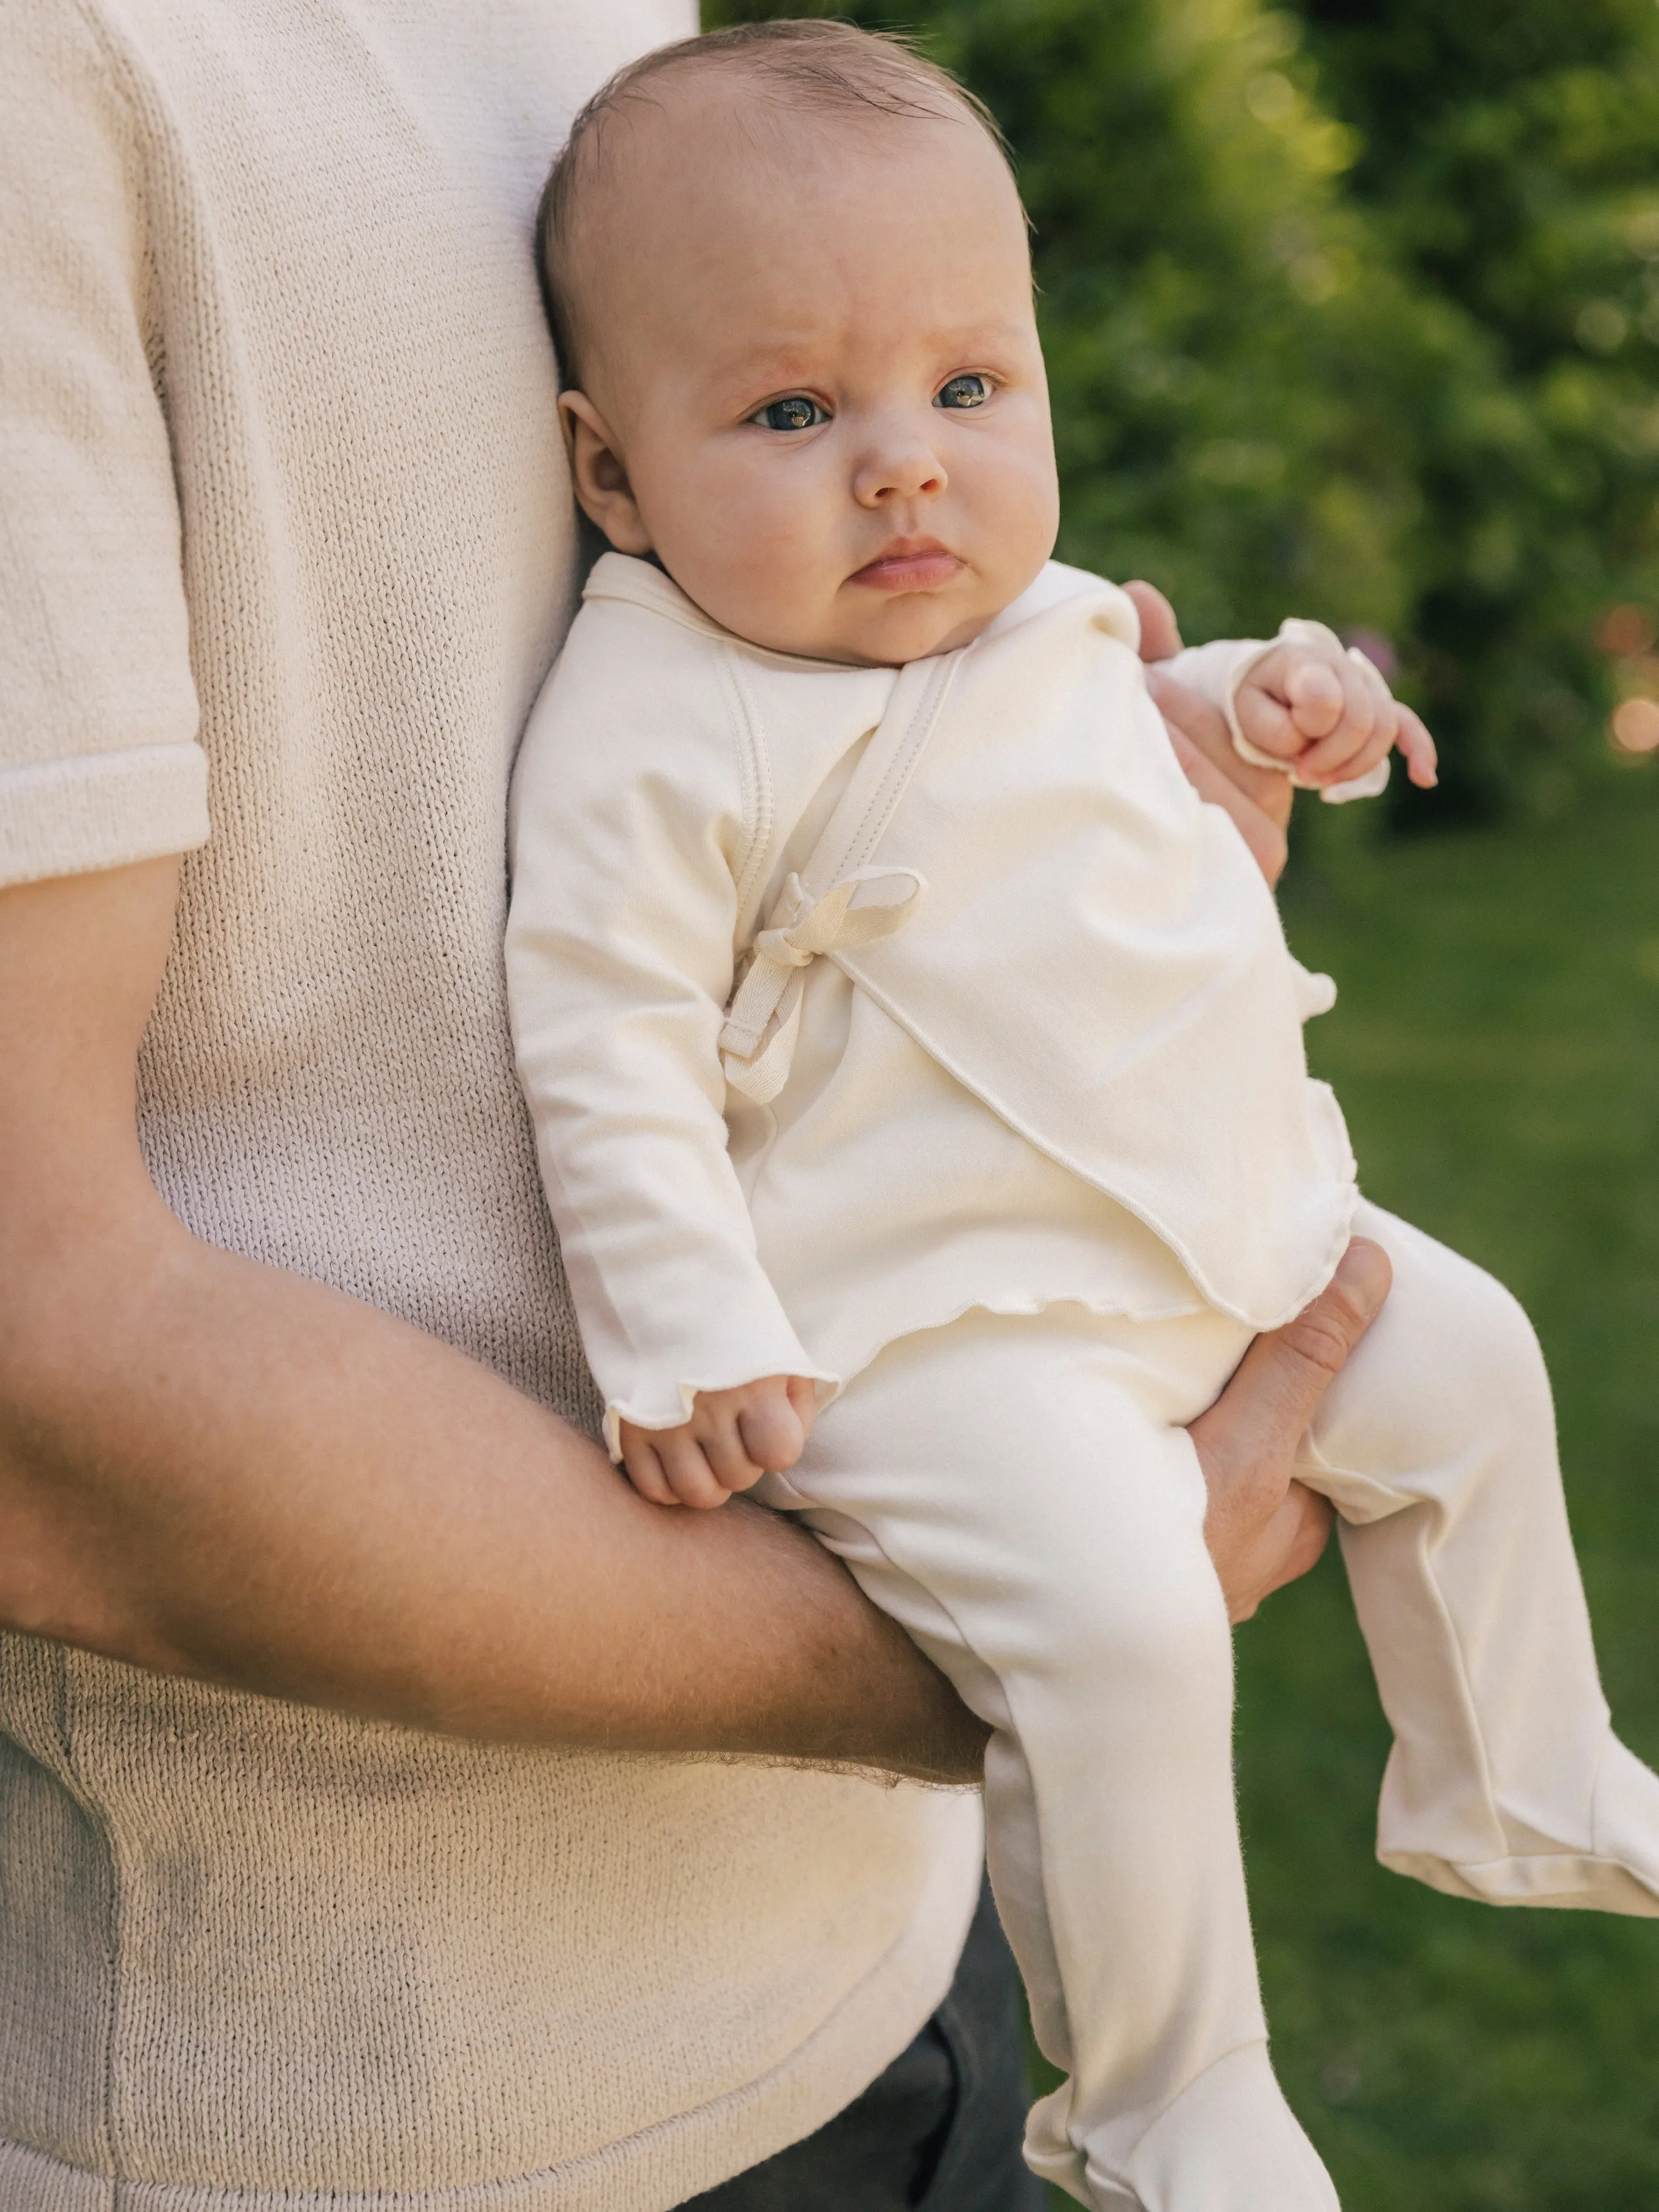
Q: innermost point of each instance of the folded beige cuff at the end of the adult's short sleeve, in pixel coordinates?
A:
(101, 811)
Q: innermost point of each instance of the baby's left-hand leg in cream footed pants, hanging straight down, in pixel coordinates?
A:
(1019, 1496)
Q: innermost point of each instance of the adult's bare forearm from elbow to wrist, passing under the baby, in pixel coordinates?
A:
(218, 1470)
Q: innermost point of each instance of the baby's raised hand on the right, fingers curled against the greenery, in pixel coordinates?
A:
(1328, 716)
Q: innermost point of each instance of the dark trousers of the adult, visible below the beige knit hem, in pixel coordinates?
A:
(941, 2129)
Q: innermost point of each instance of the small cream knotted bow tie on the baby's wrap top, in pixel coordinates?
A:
(764, 1019)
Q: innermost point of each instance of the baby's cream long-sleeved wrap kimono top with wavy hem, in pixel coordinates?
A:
(1039, 1041)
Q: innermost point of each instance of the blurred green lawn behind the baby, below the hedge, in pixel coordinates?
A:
(1496, 1050)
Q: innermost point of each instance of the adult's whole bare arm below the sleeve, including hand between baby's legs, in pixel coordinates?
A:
(218, 1470)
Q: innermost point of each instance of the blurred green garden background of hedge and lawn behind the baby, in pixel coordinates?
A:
(1353, 309)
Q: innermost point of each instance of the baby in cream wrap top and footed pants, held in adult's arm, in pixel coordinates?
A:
(921, 1100)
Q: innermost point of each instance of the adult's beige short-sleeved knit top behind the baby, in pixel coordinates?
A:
(284, 556)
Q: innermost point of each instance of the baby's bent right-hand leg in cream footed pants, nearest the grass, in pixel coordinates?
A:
(1439, 1450)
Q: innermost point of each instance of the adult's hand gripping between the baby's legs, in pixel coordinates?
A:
(1264, 1527)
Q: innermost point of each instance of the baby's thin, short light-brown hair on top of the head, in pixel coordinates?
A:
(804, 63)
